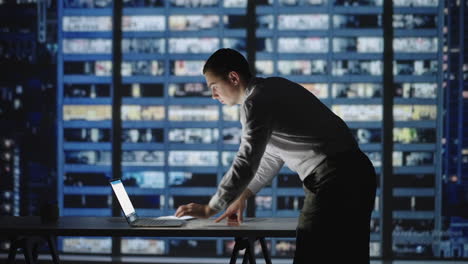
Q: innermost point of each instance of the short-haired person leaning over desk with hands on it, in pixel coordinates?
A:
(284, 124)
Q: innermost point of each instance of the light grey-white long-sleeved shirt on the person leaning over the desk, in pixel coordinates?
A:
(282, 123)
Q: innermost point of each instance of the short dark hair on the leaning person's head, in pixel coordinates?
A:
(223, 61)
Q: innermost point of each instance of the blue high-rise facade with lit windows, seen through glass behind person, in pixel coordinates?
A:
(177, 143)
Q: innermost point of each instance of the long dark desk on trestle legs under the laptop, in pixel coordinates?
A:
(252, 229)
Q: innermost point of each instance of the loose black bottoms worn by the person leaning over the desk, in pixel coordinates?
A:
(334, 224)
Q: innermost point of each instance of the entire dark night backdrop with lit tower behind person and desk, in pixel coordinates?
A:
(92, 90)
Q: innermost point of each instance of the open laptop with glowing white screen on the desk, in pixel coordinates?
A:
(130, 213)
